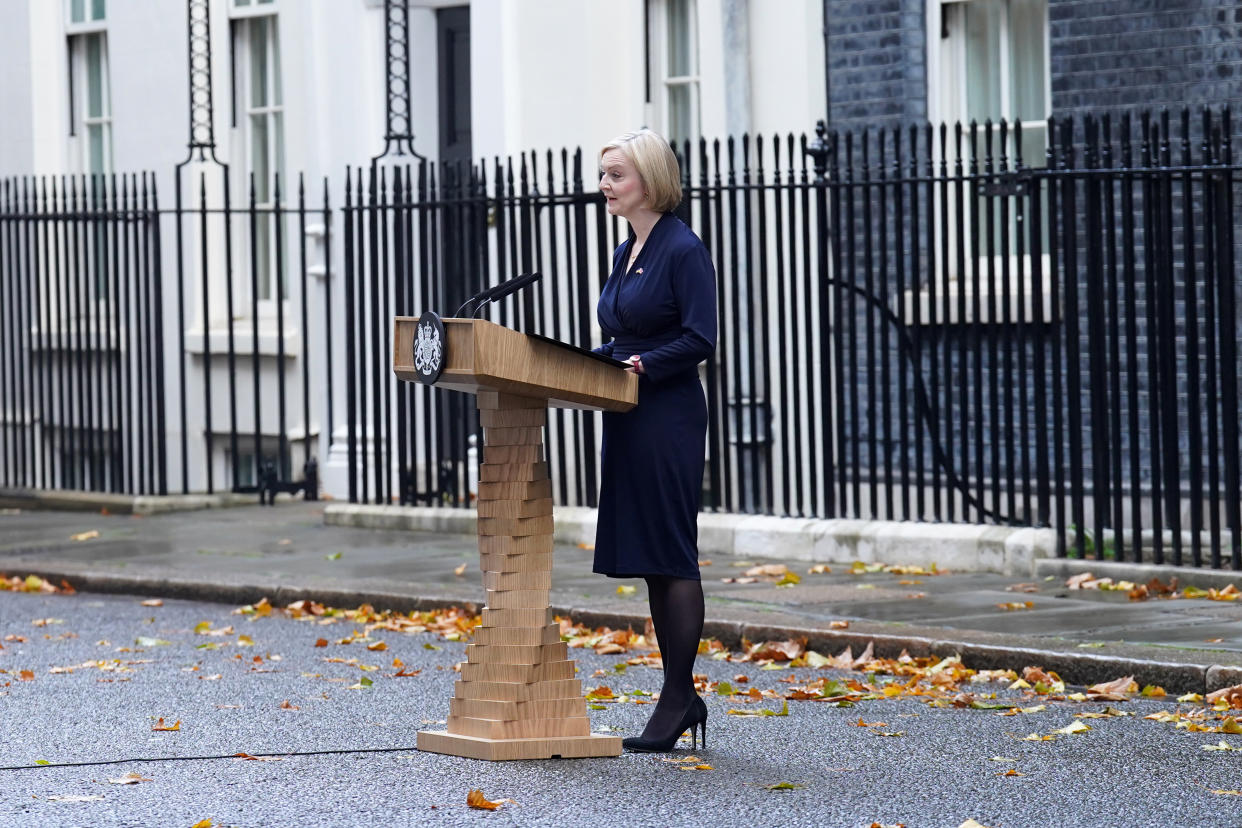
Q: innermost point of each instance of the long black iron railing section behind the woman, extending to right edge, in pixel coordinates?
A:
(984, 323)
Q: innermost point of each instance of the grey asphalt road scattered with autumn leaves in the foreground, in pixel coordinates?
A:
(346, 750)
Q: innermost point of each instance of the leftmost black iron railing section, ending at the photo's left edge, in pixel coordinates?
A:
(81, 332)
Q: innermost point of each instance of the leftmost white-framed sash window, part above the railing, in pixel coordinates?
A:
(90, 95)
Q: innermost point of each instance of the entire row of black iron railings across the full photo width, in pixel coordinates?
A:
(987, 323)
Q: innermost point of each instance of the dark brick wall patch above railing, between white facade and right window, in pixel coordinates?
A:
(877, 63)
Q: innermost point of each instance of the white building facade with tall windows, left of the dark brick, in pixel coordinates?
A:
(302, 90)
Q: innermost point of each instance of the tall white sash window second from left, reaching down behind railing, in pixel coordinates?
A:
(259, 112)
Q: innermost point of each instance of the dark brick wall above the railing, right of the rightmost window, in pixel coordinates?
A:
(1145, 53)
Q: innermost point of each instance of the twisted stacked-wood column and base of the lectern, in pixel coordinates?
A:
(519, 697)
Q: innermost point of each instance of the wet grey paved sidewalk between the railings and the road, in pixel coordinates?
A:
(240, 554)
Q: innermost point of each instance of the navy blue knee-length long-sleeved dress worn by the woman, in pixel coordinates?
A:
(664, 310)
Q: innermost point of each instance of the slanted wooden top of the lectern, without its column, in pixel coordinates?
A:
(485, 357)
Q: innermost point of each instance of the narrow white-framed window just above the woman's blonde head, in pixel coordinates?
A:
(673, 56)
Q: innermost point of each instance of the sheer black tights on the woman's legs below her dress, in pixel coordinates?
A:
(678, 616)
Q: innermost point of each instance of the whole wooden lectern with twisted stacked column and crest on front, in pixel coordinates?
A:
(517, 697)
